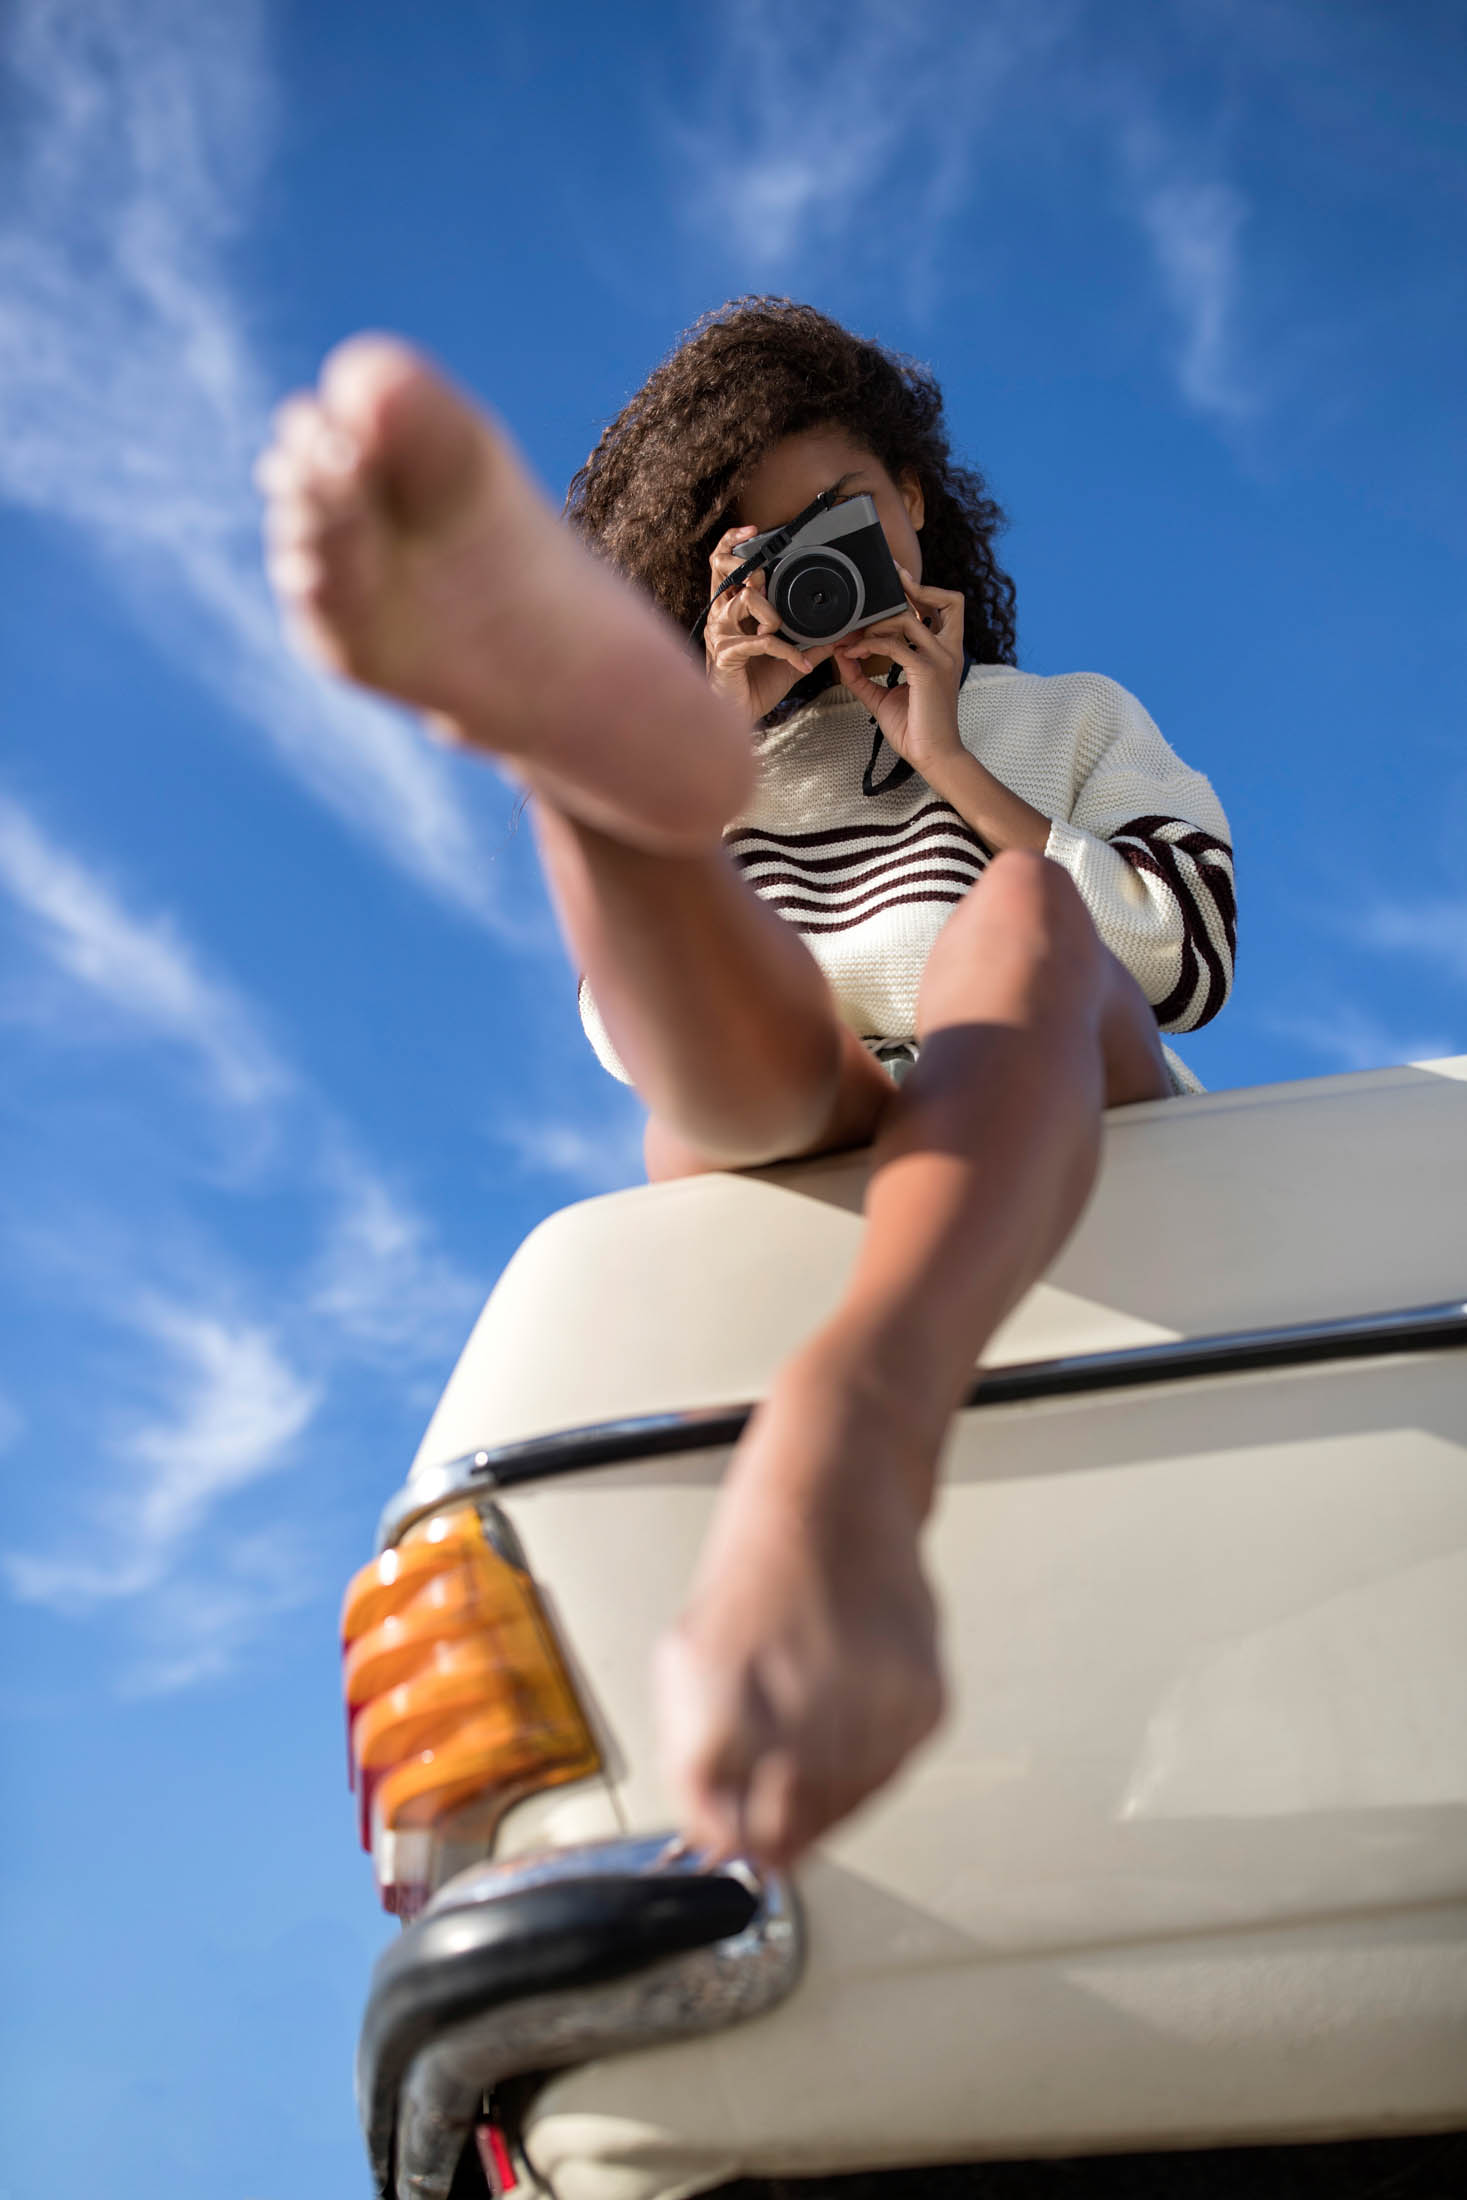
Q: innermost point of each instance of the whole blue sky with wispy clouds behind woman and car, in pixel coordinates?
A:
(291, 1053)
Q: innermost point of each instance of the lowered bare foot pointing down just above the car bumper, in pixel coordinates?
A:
(806, 1666)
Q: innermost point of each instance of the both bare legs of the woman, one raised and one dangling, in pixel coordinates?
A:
(415, 555)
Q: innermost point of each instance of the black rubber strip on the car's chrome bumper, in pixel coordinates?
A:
(562, 1937)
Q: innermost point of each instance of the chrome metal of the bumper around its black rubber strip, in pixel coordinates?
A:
(698, 1992)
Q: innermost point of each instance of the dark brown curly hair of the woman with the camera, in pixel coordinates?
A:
(657, 492)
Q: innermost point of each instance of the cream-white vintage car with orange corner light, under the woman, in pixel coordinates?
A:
(1187, 1864)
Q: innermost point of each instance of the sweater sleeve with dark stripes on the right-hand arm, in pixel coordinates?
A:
(1151, 852)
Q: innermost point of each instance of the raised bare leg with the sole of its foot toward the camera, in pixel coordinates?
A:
(415, 555)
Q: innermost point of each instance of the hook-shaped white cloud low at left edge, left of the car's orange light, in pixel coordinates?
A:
(228, 1413)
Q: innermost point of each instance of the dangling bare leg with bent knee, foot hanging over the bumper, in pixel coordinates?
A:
(806, 1666)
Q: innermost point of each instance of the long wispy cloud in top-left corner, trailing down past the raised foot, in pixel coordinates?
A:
(133, 399)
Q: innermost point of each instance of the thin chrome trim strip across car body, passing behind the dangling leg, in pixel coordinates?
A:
(1242, 1352)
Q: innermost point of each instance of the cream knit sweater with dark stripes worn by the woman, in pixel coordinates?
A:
(870, 881)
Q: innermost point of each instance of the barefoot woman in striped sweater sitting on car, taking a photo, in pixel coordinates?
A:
(1000, 888)
